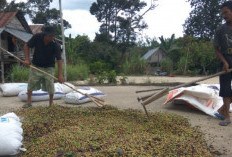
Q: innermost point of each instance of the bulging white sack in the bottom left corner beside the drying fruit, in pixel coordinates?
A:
(10, 134)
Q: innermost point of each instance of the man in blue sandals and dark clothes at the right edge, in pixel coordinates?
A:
(223, 50)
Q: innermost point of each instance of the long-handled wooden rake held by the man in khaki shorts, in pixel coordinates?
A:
(99, 102)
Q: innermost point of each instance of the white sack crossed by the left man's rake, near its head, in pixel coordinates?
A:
(77, 98)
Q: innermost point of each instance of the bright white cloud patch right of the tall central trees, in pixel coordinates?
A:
(167, 18)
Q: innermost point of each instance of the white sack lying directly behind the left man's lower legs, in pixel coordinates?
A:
(40, 95)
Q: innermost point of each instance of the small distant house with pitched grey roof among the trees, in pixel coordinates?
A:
(154, 58)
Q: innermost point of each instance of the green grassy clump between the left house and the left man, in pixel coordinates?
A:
(19, 74)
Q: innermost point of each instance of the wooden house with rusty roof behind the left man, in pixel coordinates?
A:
(14, 32)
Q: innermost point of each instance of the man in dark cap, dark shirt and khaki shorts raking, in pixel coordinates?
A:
(46, 51)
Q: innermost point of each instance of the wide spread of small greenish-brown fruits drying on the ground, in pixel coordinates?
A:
(107, 131)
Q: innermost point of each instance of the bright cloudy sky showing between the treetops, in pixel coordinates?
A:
(166, 19)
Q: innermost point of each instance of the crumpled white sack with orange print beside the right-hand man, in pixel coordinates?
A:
(204, 97)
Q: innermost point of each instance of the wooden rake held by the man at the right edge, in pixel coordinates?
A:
(147, 99)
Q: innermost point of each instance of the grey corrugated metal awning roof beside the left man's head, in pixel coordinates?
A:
(24, 36)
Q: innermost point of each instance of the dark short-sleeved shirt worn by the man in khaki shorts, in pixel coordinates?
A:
(44, 55)
